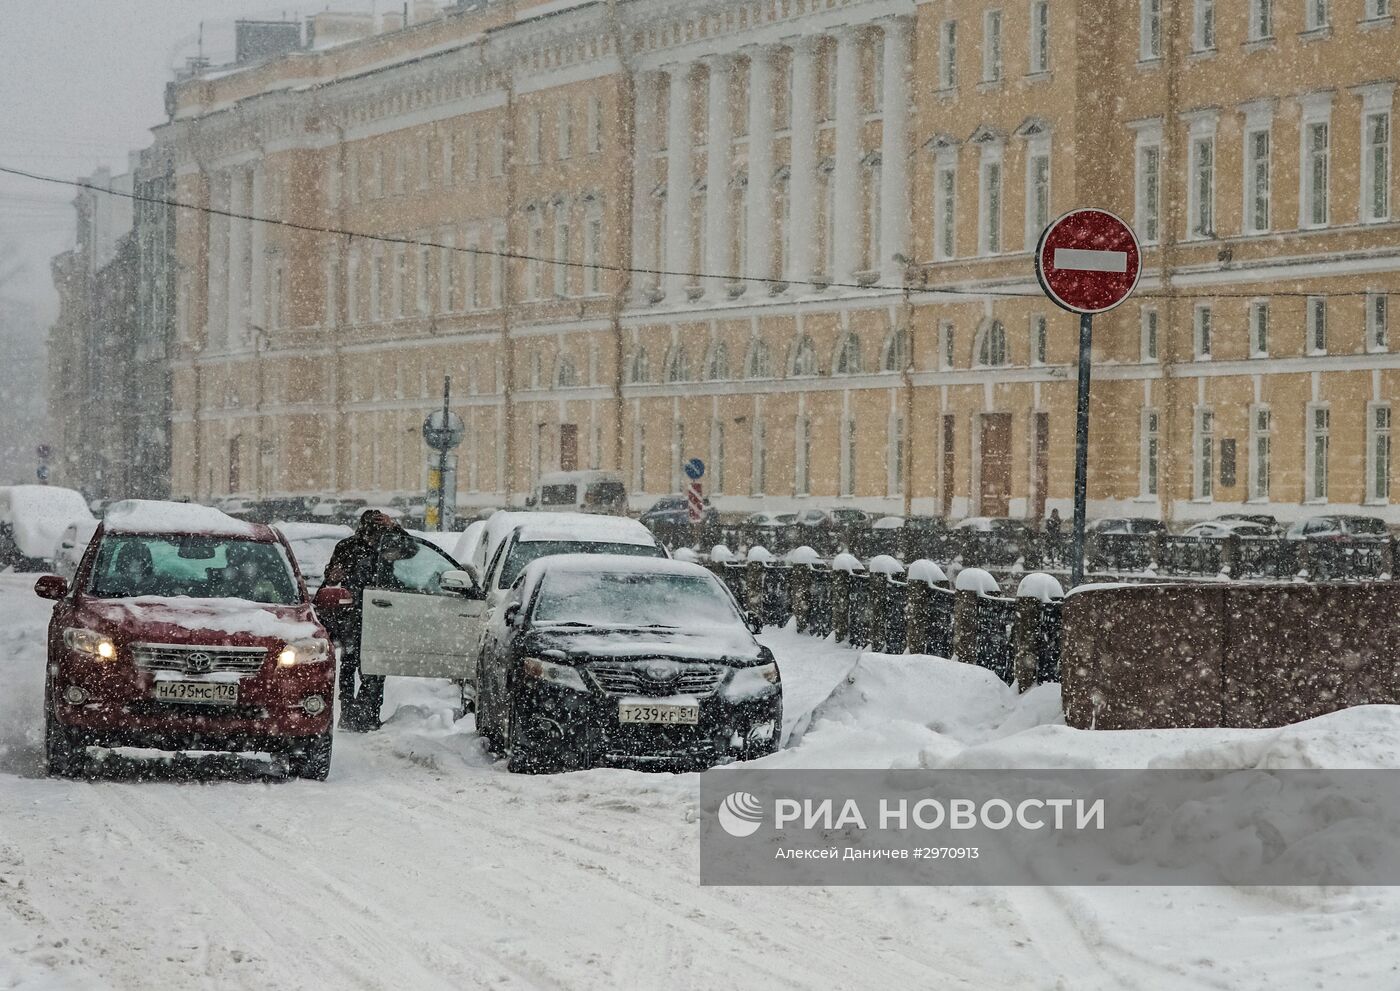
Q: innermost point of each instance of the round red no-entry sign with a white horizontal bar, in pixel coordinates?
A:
(1088, 261)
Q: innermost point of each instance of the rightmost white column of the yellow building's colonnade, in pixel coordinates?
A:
(894, 194)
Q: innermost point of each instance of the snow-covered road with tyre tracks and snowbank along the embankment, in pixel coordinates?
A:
(423, 866)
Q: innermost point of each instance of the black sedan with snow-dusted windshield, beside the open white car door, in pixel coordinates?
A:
(607, 660)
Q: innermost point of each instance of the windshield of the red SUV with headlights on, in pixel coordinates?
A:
(208, 568)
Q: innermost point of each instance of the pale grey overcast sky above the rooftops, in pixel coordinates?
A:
(82, 83)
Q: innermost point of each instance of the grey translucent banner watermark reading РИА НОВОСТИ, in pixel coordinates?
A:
(1051, 827)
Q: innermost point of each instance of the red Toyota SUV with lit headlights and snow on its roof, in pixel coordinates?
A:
(187, 631)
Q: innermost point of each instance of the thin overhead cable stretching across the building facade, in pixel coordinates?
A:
(624, 269)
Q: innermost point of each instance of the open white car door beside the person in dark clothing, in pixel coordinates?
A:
(412, 626)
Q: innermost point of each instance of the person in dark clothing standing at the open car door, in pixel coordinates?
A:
(362, 561)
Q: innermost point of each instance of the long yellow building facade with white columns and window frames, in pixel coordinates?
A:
(794, 240)
